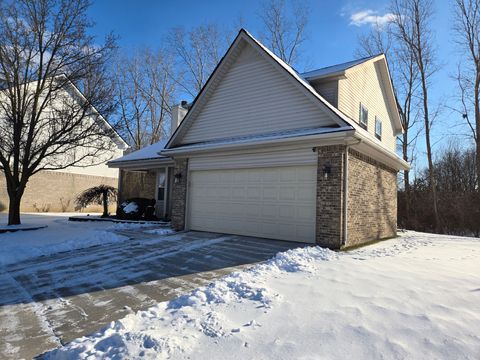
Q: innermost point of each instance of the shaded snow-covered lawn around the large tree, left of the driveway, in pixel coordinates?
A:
(59, 235)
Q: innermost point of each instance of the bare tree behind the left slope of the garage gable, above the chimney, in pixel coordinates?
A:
(197, 51)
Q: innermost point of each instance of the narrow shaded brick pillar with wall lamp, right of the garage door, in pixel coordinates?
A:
(330, 196)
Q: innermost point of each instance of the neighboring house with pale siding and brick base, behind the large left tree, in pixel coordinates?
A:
(56, 190)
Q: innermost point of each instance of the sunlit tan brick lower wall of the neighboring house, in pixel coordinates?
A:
(55, 191)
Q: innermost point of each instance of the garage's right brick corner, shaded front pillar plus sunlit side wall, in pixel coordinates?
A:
(371, 201)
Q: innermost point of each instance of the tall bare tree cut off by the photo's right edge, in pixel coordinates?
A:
(467, 28)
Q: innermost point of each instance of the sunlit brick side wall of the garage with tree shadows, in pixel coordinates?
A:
(372, 199)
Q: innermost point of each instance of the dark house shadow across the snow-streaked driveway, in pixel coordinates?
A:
(117, 265)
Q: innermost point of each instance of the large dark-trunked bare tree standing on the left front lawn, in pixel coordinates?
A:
(46, 57)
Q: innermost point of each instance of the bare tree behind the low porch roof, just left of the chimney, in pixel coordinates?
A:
(145, 91)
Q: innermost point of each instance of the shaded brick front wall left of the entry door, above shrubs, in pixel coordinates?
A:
(137, 184)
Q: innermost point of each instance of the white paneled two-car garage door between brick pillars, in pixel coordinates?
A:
(277, 202)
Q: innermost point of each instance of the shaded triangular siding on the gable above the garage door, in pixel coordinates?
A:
(254, 97)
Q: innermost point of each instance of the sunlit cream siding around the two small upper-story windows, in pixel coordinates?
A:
(363, 84)
